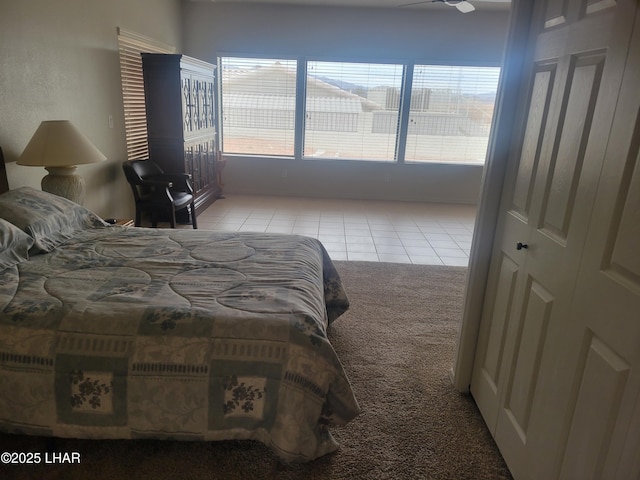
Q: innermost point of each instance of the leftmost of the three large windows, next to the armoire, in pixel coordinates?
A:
(258, 105)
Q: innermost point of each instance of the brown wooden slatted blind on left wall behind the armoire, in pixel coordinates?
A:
(130, 46)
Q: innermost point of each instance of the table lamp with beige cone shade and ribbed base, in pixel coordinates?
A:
(59, 146)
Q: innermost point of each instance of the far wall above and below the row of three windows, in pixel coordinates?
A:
(426, 36)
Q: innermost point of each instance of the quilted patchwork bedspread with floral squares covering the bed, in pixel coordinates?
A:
(176, 334)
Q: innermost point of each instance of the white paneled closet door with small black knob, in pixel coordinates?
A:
(533, 352)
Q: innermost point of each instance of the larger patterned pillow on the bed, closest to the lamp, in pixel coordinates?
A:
(49, 219)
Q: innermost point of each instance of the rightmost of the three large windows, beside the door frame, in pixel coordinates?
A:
(450, 114)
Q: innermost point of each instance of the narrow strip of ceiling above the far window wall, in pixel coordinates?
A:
(481, 5)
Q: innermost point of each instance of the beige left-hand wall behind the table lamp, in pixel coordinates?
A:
(59, 60)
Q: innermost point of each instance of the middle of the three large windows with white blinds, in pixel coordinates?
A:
(351, 110)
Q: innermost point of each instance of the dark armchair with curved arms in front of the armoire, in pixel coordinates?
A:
(158, 193)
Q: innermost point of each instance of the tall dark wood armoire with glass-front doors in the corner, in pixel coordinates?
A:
(180, 103)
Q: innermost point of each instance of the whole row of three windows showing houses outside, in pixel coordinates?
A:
(355, 110)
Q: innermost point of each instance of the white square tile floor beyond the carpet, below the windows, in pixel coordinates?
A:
(400, 232)
